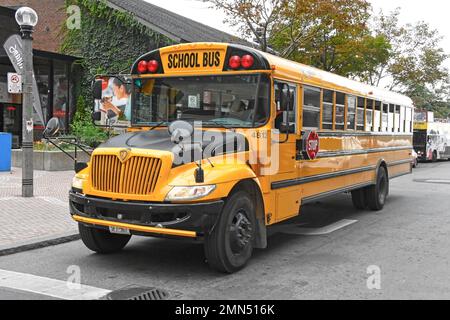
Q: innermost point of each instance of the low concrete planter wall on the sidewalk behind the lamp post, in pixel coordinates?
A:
(49, 160)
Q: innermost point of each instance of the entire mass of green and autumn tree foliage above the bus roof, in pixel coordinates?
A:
(347, 38)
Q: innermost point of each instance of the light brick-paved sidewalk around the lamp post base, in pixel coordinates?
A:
(35, 222)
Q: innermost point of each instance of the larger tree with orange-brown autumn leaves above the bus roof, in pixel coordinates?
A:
(332, 35)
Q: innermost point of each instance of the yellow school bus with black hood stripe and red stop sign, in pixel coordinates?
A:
(272, 135)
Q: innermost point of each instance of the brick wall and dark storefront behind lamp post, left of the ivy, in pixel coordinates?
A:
(52, 69)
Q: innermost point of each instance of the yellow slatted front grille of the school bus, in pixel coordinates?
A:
(137, 176)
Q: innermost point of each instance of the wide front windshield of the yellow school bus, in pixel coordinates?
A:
(228, 101)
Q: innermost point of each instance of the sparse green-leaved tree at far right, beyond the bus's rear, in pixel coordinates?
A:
(416, 66)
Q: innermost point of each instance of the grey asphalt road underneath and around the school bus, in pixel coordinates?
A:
(408, 241)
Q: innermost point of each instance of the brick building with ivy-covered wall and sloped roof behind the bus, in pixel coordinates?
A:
(58, 87)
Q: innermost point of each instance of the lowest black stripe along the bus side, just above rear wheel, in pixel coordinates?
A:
(299, 181)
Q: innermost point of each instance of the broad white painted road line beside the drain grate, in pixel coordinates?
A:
(48, 287)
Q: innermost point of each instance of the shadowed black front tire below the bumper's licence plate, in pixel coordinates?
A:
(102, 241)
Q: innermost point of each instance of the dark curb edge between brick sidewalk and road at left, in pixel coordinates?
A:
(38, 244)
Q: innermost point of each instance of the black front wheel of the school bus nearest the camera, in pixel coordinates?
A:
(229, 247)
